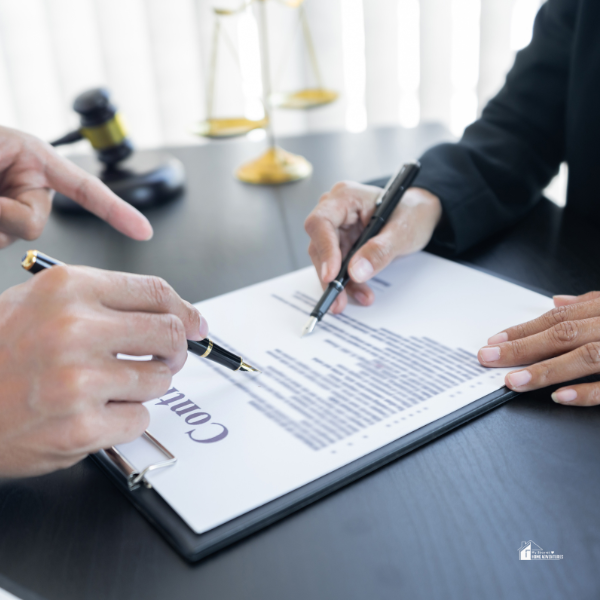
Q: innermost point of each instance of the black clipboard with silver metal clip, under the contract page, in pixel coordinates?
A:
(194, 547)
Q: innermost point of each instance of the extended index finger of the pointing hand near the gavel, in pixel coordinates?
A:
(88, 191)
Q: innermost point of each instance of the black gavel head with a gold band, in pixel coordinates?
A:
(102, 125)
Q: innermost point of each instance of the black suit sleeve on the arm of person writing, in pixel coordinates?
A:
(496, 173)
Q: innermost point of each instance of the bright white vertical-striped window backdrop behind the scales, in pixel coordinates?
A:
(395, 62)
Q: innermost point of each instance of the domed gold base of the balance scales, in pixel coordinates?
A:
(275, 166)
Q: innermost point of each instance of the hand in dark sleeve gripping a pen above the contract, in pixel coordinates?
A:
(340, 217)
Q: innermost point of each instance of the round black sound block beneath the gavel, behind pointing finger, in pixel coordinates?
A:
(144, 180)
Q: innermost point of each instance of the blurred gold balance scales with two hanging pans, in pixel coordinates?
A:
(276, 165)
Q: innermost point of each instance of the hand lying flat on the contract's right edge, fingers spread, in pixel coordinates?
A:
(563, 344)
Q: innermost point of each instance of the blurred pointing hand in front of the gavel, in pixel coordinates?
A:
(30, 169)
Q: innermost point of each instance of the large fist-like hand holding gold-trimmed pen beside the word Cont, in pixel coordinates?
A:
(64, 392)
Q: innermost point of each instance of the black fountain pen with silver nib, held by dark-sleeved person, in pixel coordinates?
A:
(387, 202)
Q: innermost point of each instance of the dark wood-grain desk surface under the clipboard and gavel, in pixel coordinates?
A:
(443, 522)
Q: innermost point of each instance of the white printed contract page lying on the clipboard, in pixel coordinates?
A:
(360, 381)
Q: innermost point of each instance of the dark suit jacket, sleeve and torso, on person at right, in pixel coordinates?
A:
(547, 112)
